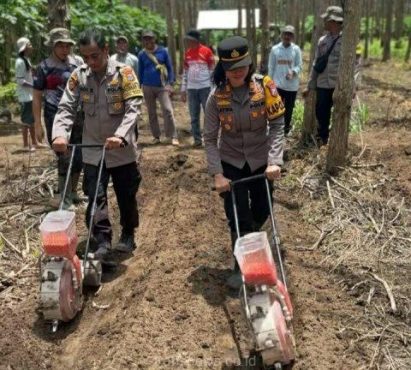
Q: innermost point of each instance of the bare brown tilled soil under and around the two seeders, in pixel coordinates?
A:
(168, 305)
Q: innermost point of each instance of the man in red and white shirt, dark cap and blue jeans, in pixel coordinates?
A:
(198, 68)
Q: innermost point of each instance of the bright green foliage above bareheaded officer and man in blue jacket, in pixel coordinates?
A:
(115, 18)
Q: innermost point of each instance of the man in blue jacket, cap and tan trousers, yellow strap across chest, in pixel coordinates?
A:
(156, 77)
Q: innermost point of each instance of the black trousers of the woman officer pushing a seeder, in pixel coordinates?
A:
(252, 204)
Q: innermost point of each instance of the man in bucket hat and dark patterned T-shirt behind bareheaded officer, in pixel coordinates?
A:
(50, 80)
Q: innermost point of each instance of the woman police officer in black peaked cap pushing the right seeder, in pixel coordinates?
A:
(243, 136)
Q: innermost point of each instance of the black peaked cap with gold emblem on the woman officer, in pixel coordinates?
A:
(233, 53)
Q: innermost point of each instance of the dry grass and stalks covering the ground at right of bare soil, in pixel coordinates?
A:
(364, 233)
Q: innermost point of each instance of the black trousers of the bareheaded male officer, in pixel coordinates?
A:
(126, 181)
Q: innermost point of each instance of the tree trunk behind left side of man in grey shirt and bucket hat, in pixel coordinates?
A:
(310, 121)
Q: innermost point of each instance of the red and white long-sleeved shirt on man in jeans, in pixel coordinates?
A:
(198, 67)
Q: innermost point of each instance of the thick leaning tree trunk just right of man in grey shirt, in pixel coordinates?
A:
(342, 97)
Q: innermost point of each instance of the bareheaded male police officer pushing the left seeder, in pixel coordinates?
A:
(111, 97)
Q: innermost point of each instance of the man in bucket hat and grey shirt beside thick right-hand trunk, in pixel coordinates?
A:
(324, 71)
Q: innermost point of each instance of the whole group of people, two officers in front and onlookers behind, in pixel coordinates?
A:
(246, 115)
